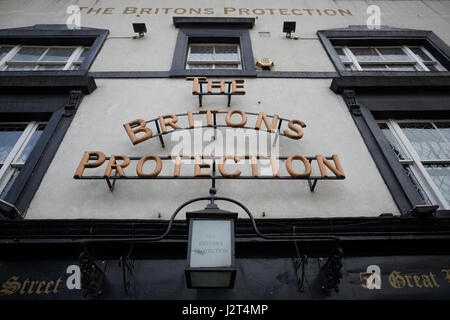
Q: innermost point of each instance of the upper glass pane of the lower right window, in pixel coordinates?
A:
(426, 141)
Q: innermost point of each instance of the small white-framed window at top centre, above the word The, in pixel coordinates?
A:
(213, 56)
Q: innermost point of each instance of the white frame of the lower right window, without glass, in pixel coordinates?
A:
(415, 163)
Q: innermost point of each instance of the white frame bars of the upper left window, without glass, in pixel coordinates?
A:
(70, 64)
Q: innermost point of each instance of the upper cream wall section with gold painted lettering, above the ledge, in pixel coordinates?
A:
(154, 53)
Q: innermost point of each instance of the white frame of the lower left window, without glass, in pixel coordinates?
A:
(12, 160)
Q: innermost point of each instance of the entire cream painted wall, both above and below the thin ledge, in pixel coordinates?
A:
(98, 122)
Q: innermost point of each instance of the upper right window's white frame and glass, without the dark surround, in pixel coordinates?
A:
(402, 58)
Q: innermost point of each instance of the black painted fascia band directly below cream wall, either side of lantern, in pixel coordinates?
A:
(362, 235)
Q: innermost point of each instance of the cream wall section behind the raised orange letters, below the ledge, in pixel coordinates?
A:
(98, 126)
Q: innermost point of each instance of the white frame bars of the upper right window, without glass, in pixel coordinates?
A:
(415, 61)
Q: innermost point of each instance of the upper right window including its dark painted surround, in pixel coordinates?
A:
(358, 48)
